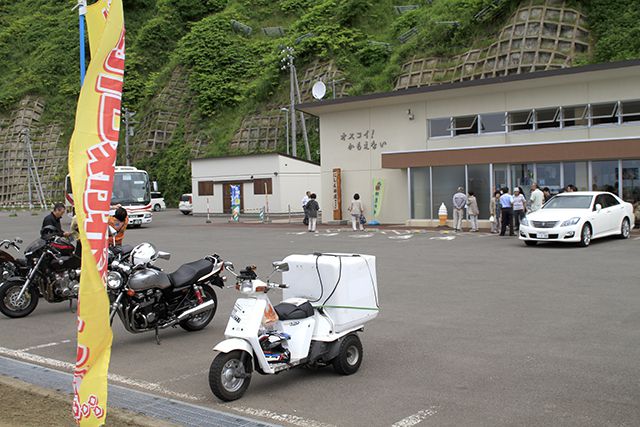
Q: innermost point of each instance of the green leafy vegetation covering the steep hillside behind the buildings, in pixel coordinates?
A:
(232, 74)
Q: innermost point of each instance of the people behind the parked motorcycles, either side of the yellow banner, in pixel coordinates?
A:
(117, 223)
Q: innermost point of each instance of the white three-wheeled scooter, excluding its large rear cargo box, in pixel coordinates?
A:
(274, 339)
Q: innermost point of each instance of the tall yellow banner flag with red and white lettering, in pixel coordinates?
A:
(92, 157)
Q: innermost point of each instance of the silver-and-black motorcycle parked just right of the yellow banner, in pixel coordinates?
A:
(148, 299)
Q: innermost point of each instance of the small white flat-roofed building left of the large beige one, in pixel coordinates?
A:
(274, 179)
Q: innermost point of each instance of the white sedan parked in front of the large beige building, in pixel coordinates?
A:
(578, 217)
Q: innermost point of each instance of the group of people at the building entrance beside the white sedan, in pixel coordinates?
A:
(506, 210)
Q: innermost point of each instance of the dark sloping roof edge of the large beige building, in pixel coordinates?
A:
(418, 93)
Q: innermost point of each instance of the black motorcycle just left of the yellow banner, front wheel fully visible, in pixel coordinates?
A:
(52, 271)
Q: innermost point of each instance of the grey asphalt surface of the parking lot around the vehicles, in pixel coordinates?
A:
(474, 329)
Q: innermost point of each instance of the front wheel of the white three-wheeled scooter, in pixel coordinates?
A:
(229, 377)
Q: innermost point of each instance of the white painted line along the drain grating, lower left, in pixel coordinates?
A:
(157, 388)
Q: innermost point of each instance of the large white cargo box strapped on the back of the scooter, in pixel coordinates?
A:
(344, 285)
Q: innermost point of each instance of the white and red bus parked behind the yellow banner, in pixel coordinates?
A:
(131, 190)
